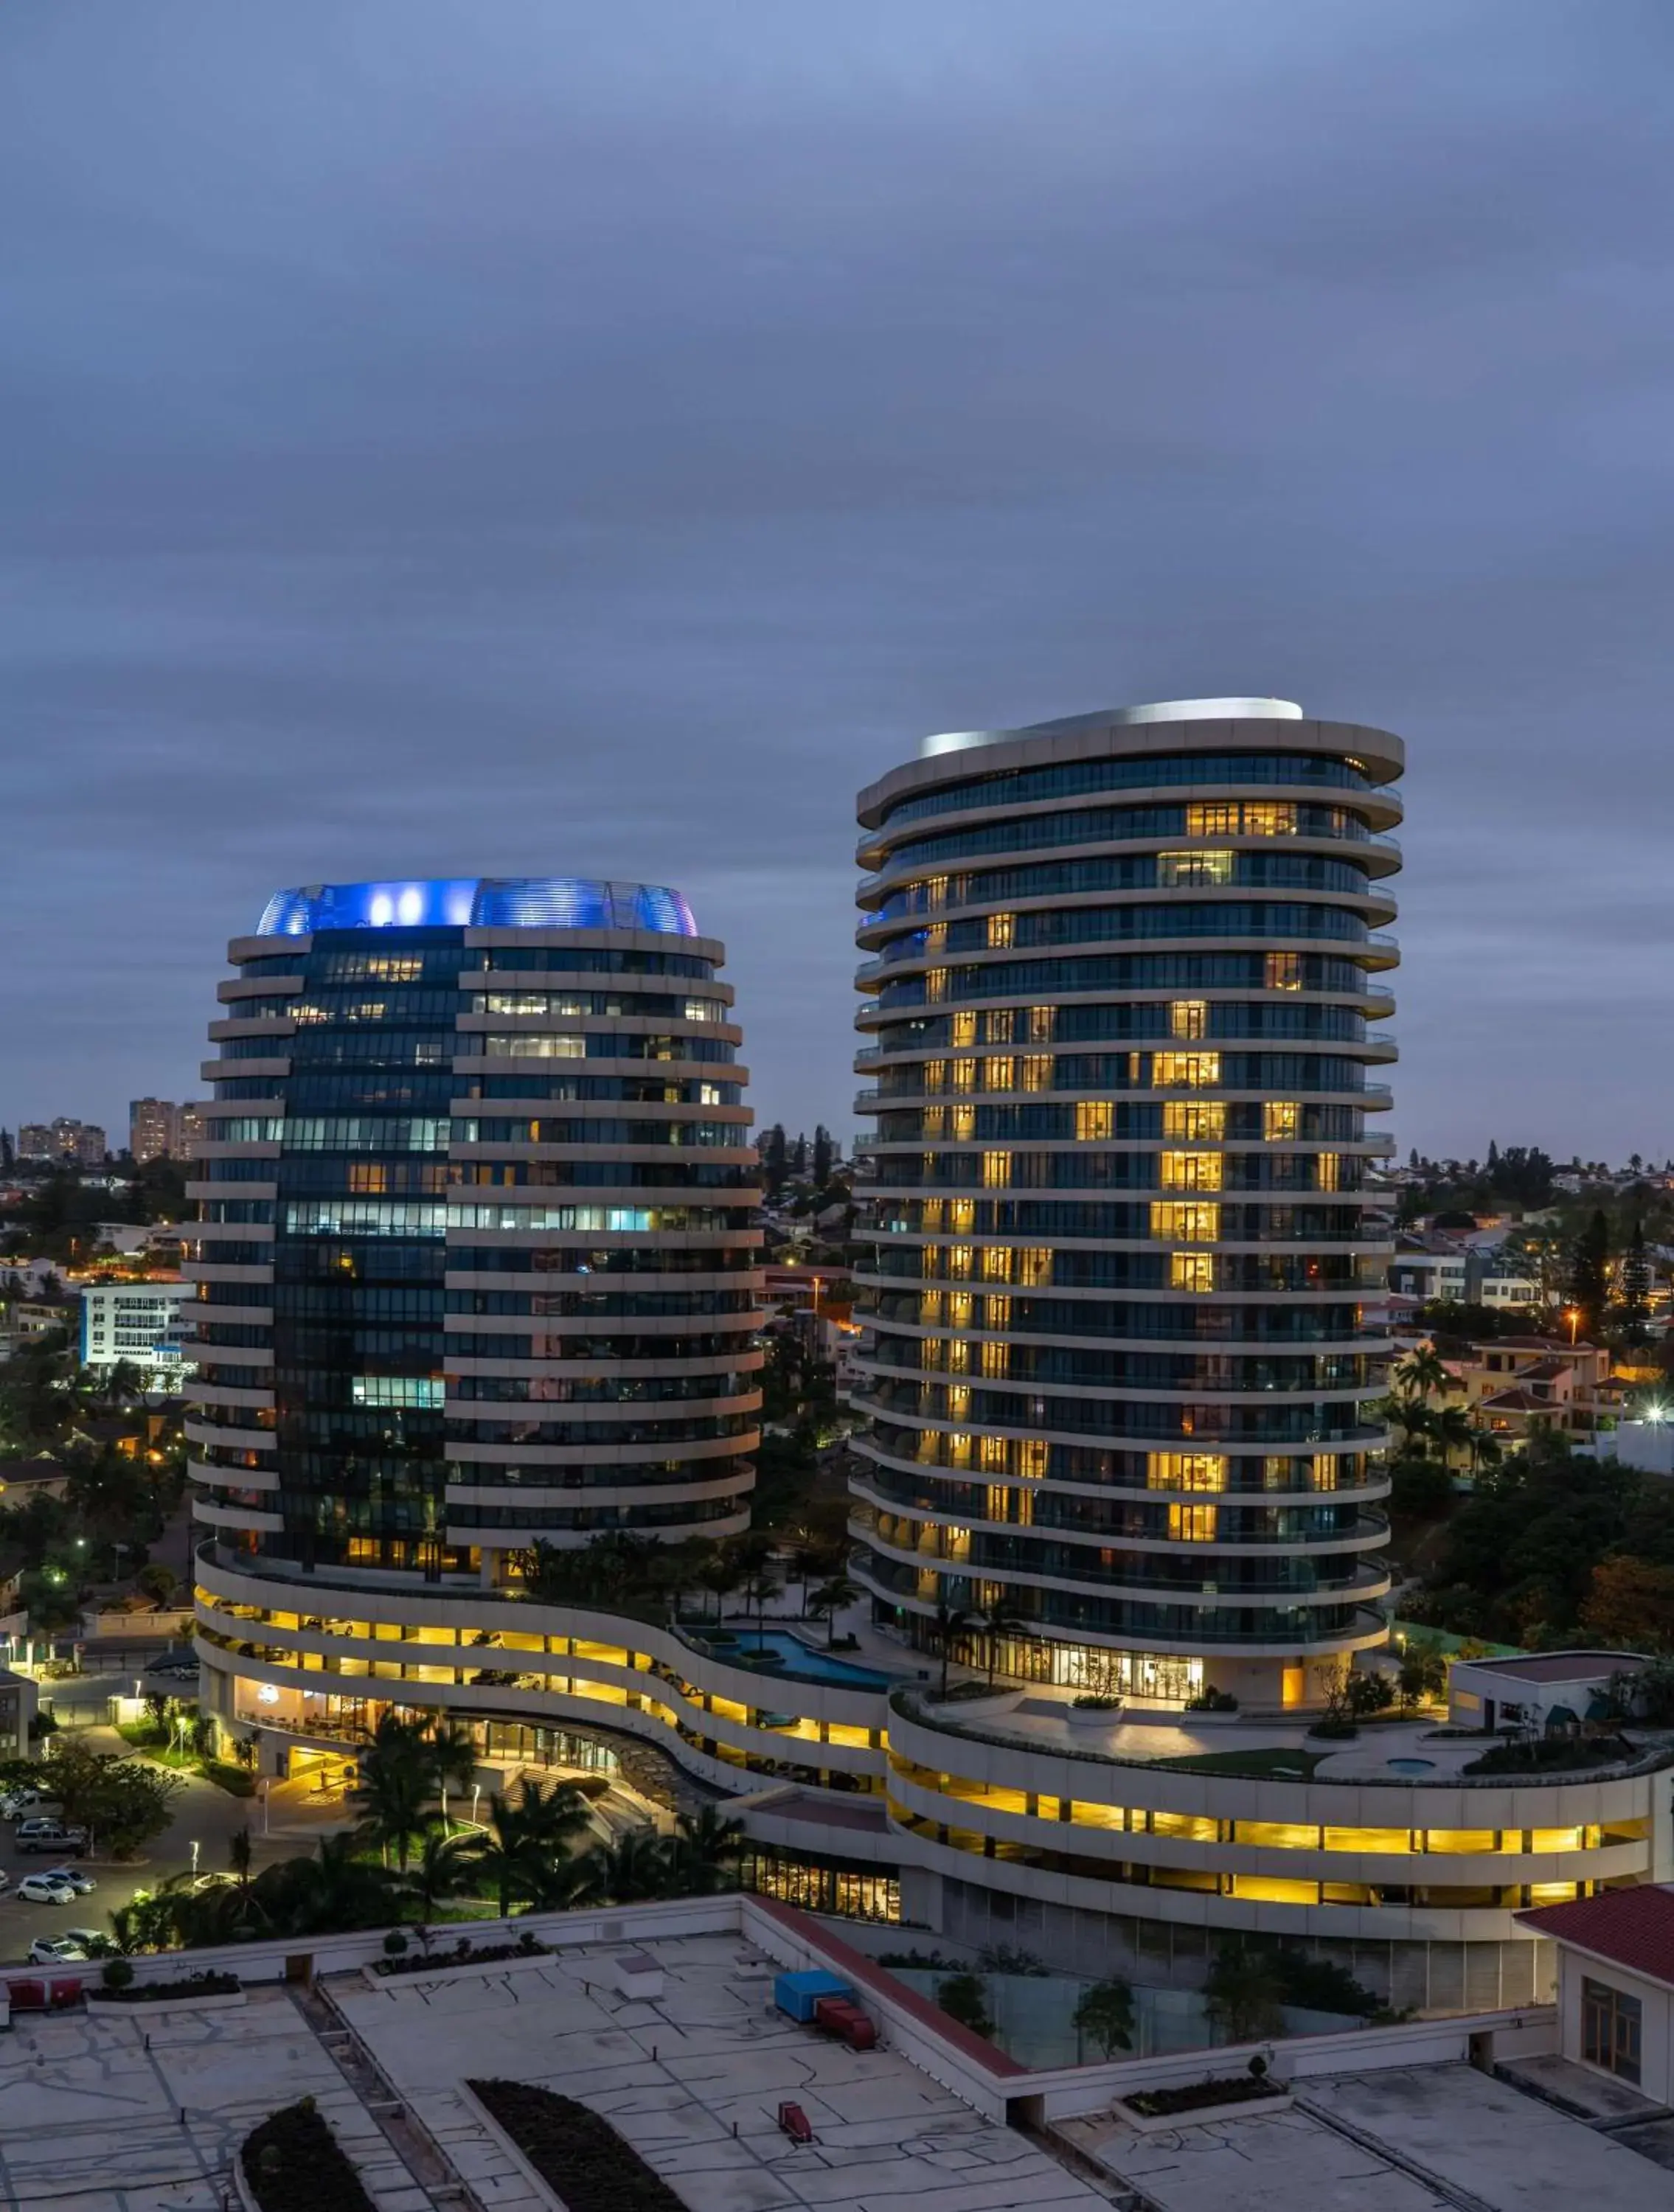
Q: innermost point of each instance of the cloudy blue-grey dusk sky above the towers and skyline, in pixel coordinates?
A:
(510, 437)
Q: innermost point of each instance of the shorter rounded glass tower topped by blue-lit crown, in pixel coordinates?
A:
(479, 1253)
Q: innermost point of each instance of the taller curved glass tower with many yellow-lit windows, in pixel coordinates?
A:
(1124, 1034)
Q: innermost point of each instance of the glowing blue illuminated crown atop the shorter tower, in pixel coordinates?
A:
(479, 904)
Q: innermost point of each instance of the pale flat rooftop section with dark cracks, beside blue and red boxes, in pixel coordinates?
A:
(695, 2080)
